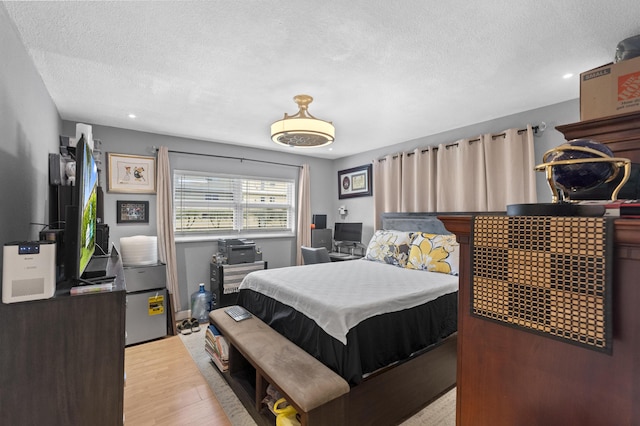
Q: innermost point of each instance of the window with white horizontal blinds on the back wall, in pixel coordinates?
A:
(210, 203)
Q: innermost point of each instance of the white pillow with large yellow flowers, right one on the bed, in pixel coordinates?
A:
(433, 252)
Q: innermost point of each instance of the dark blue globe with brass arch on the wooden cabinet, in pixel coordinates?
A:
(582, 174)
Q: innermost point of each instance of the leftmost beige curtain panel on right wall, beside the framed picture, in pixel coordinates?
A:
(387, 186)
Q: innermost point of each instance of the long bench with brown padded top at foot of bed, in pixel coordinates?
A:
(317, 393)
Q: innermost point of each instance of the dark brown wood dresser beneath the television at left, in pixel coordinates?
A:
(62, 360)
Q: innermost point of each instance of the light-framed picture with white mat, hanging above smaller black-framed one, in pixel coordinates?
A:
(133, 174)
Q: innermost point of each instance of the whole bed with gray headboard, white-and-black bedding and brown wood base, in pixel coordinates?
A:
(404, 320)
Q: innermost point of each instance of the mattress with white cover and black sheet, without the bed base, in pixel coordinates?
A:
(357, 316)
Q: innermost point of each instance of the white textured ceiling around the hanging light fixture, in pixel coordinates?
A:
(383, 71)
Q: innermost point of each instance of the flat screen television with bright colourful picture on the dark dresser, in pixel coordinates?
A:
(81, 214)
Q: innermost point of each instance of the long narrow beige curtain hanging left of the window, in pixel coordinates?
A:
(164, 219)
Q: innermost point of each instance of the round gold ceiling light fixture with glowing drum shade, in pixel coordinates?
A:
(302, 130)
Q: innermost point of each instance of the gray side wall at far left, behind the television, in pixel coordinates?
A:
(29, 128)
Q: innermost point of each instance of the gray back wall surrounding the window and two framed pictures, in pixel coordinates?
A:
(193, 257)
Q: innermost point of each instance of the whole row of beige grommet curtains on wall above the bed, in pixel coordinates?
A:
(484, 173)
